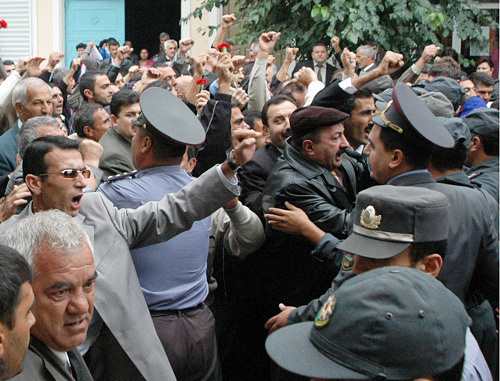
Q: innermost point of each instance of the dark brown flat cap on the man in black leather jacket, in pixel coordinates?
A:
(308, 119)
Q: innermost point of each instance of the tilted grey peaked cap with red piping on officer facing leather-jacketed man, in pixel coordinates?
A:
(407, 113)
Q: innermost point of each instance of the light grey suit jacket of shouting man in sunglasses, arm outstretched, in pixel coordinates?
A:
(118, 297)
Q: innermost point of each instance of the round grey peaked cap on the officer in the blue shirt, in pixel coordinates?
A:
(168, 115)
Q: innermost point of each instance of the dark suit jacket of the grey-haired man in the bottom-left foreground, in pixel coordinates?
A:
(41, 364)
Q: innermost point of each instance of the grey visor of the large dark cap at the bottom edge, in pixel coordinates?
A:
(292, 350)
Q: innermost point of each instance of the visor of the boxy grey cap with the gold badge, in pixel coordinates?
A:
(372, 248)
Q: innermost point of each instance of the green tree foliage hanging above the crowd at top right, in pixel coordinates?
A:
(404, 26)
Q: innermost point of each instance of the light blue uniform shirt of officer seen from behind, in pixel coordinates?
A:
(172, 274)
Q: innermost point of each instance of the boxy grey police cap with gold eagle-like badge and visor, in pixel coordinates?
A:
(388, 219)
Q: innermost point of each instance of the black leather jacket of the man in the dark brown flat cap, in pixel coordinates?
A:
(283, 269)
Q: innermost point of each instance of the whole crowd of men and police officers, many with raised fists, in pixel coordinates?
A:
(214, 217)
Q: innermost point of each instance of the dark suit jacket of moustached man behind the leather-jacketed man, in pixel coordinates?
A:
(254, 174)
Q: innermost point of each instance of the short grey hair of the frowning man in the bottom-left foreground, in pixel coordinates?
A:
(52, 228)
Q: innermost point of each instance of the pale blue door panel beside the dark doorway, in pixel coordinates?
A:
(88, 20)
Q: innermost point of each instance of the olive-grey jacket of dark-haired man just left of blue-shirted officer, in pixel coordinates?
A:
(117, 155)
